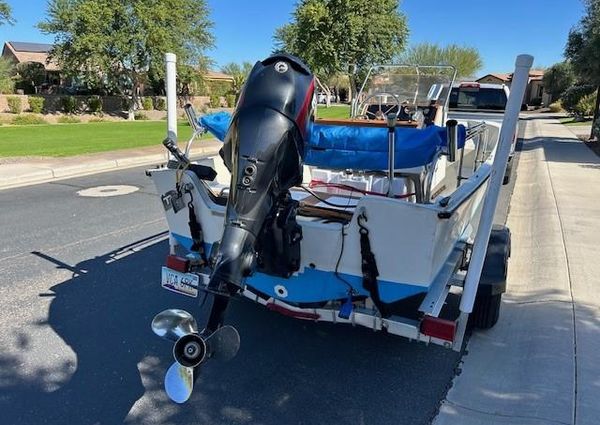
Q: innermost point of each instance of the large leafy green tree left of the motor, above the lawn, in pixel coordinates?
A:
(118, 44)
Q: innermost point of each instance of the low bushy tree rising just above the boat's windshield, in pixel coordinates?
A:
(466, 60)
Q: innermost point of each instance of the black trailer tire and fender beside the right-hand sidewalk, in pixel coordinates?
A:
(492, 284)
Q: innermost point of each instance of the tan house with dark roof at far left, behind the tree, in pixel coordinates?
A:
(23, 52)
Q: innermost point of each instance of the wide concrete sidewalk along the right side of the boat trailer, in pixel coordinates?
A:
(540, 364)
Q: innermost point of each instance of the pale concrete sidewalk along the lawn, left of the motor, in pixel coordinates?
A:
(16, 172)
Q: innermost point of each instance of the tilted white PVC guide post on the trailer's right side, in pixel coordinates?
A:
(509, 124)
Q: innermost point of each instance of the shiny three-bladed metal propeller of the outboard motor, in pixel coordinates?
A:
(191, 349)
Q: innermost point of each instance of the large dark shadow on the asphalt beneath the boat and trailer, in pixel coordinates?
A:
(287, 371)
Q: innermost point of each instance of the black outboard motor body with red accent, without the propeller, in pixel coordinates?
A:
(263, 150)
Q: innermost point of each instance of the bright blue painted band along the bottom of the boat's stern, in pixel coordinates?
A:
(314, 285)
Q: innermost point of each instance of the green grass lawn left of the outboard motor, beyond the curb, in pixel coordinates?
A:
(75, 139)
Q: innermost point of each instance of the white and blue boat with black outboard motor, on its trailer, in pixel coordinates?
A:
(366, 221)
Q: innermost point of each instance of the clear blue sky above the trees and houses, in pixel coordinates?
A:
(499, 29)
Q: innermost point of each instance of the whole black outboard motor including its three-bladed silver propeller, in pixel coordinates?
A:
(264, 151)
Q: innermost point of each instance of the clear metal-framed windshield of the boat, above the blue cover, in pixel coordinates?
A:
(407, 85)
